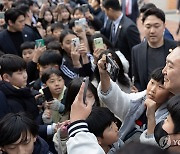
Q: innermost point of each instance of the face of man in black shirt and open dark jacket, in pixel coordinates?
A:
(154, 30)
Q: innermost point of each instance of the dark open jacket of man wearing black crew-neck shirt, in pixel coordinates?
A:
(139, 62)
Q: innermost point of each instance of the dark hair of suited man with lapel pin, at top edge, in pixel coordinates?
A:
(113, 4)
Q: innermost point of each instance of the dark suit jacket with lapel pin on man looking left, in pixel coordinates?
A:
(127, 36)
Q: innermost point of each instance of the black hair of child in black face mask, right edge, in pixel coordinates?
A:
(174, 108)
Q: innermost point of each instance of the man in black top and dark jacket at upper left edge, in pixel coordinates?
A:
(12, 37)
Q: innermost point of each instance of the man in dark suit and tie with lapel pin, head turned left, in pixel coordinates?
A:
(122, 31)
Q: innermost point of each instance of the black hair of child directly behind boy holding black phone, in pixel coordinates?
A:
(50, 57)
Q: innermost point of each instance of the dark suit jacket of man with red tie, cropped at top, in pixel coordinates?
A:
(135, 10)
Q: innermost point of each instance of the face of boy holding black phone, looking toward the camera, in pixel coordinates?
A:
(55, 84)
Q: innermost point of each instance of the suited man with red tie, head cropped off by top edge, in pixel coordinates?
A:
(130, 9)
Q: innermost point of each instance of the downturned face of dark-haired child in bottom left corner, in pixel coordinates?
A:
(24, 145)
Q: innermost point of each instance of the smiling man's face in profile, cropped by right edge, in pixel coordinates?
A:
(172, 71)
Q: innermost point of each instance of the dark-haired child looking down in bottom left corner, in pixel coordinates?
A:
(19, 134)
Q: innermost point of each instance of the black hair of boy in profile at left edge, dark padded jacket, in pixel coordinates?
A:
(10, 63)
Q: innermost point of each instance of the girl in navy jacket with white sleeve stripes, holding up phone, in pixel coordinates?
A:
(75, 60)
